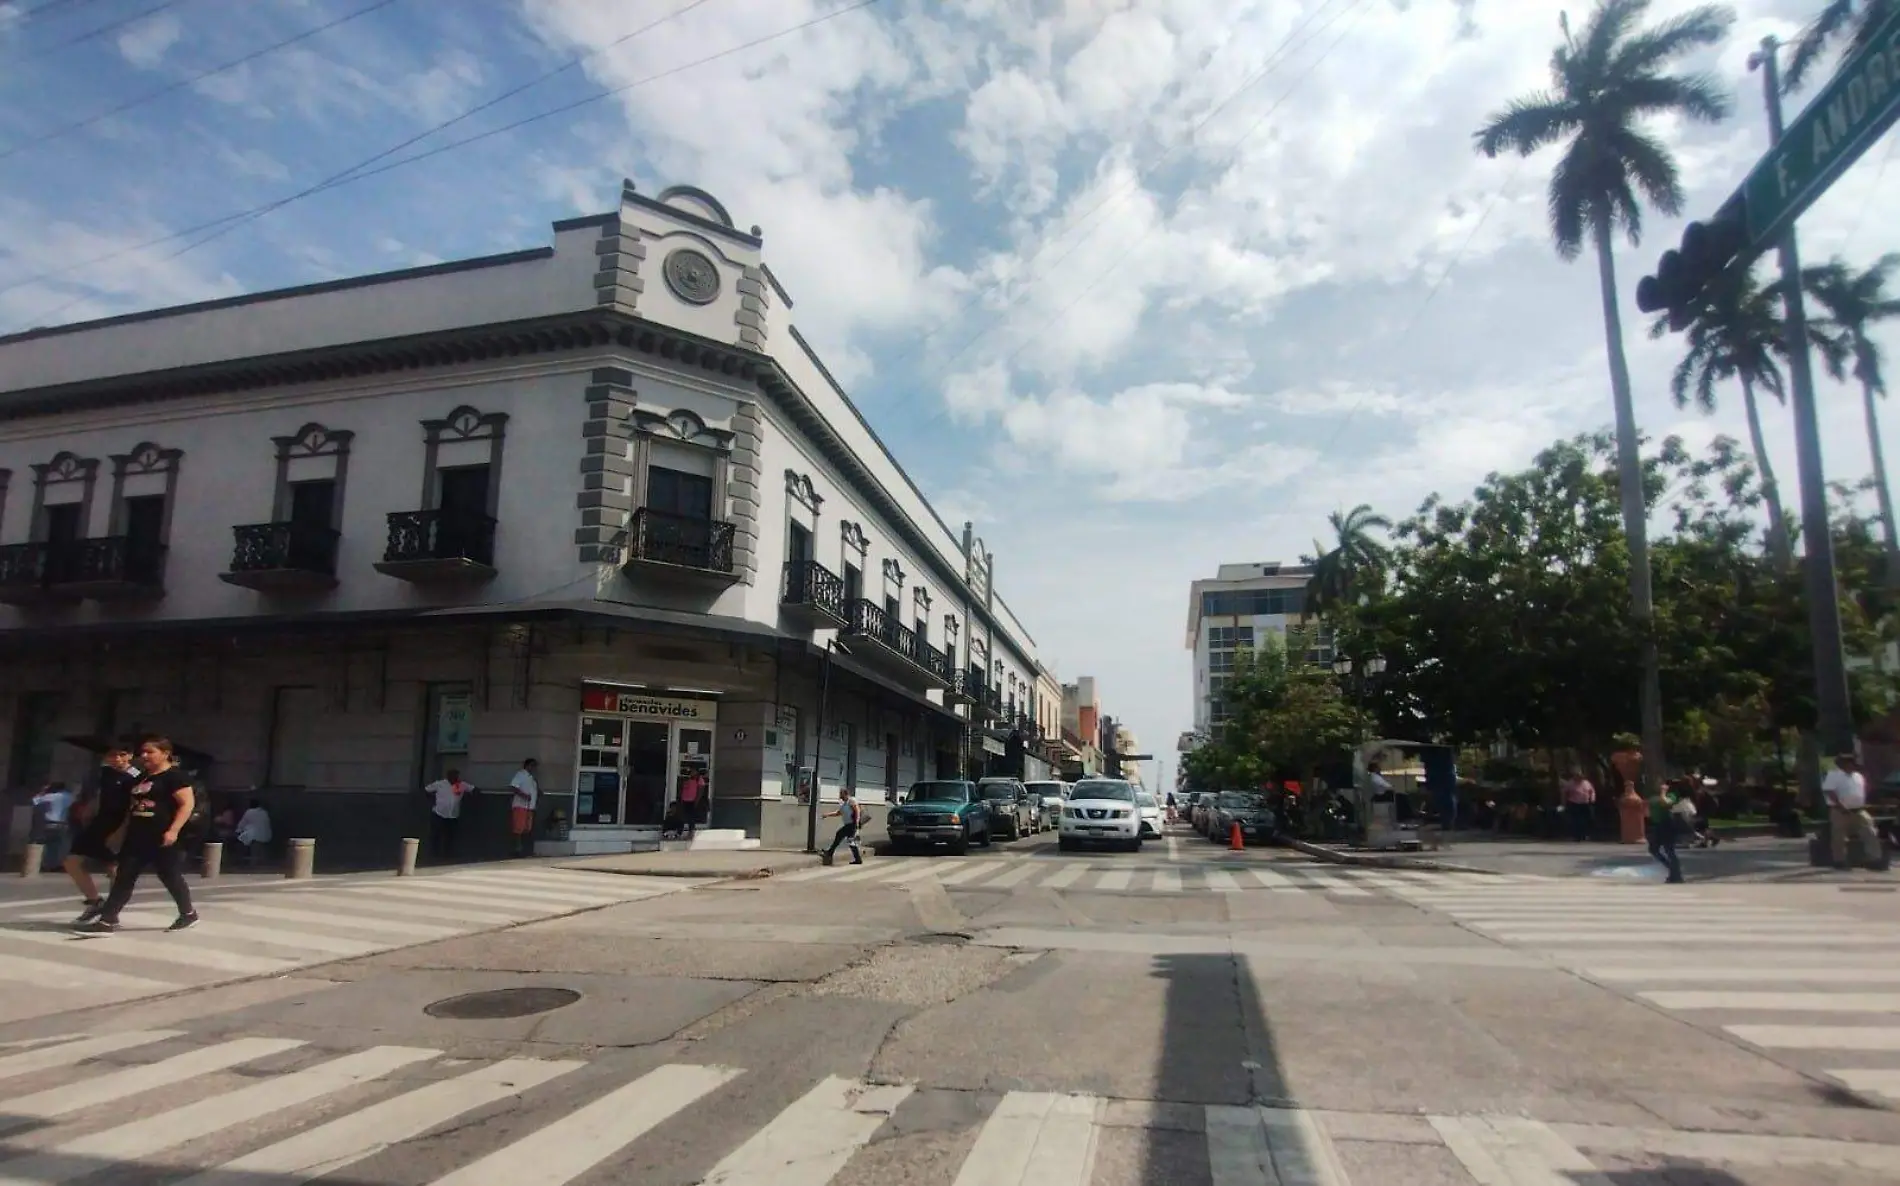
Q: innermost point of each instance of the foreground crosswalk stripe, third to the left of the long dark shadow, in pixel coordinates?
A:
(586, 1138)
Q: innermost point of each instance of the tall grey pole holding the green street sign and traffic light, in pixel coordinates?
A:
(1817, 541)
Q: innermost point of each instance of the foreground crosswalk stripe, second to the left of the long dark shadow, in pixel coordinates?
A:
(810, 1141)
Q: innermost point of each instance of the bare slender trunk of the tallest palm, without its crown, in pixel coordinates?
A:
(1635, 510)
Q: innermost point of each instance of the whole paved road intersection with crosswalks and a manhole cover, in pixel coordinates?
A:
(1014, 1018)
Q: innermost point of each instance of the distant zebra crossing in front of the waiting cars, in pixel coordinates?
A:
(1111, 877)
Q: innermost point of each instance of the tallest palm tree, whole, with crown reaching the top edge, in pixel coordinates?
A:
(1605, 85)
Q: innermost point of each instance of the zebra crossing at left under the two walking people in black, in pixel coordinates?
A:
(273, 930)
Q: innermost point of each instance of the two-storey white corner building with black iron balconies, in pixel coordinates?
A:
(598, 505)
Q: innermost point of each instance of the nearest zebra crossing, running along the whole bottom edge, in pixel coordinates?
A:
(259, 1111)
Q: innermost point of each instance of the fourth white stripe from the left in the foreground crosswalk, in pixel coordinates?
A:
(358, 1136)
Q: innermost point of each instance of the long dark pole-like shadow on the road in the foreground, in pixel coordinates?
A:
(1219, 1052)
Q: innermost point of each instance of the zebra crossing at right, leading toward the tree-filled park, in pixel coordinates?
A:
(1800, 984)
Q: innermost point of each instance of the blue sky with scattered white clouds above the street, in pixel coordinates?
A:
(1137, 286)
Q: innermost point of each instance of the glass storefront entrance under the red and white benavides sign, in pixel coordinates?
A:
(637, 752)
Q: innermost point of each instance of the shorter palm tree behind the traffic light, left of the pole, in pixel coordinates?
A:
(1736, 337)
